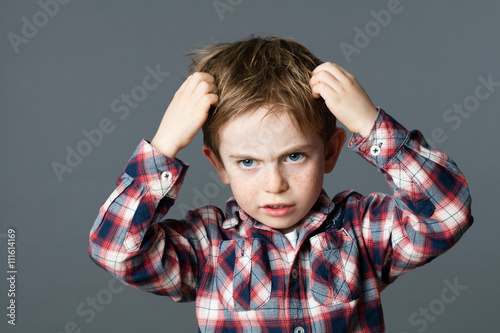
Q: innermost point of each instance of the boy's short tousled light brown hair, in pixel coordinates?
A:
(262, 71)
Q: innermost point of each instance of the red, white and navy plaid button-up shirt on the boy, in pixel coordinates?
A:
(247, 277)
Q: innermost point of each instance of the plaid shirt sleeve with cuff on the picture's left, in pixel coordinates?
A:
(130, 237)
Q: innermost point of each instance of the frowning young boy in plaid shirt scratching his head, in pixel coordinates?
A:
(283, 256)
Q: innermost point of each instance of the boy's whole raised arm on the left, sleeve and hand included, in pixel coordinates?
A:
(130, 237)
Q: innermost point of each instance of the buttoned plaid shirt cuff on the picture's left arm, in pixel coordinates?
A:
(161, 174)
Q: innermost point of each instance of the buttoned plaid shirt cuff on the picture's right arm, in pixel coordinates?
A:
(385, 139)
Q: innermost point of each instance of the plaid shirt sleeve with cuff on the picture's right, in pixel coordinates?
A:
(429, 210)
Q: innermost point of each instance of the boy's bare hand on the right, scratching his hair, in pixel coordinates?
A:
(344, 96)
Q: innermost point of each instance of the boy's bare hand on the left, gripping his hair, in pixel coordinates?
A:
(186, 113)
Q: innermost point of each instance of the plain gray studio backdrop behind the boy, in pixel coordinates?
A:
(64, 79)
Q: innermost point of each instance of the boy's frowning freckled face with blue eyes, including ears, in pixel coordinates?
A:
(275, 172)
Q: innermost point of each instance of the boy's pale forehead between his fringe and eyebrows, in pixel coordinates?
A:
(254, 130)
